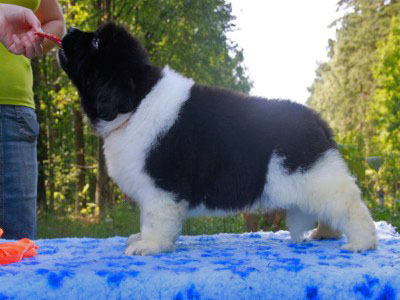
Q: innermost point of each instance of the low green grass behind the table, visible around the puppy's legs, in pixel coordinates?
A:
(124, 219)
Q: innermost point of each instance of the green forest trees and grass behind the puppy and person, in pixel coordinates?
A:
(356, 91)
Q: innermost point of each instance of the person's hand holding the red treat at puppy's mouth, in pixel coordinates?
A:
(17, 26)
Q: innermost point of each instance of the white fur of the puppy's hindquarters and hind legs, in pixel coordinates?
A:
(326, 192)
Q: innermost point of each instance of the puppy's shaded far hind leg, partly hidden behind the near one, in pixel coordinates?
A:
(298, 223)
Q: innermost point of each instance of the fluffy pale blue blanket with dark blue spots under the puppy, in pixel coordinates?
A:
(260, 265)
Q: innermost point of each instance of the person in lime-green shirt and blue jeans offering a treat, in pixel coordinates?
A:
(18, 125)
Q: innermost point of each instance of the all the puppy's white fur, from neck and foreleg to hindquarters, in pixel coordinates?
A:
(326, 192)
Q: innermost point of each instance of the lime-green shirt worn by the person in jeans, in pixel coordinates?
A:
(16, 79)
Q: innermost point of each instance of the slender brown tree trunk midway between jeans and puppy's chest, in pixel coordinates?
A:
(80, 198)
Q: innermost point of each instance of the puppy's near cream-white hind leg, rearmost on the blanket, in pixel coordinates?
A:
(335, 198)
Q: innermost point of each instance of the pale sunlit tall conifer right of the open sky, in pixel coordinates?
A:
(343, 89)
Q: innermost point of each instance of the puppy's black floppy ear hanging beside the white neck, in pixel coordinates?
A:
(116, 97)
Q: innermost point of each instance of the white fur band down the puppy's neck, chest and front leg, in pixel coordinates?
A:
(125, 150)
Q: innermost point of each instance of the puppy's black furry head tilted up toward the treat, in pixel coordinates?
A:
(107, 66)
